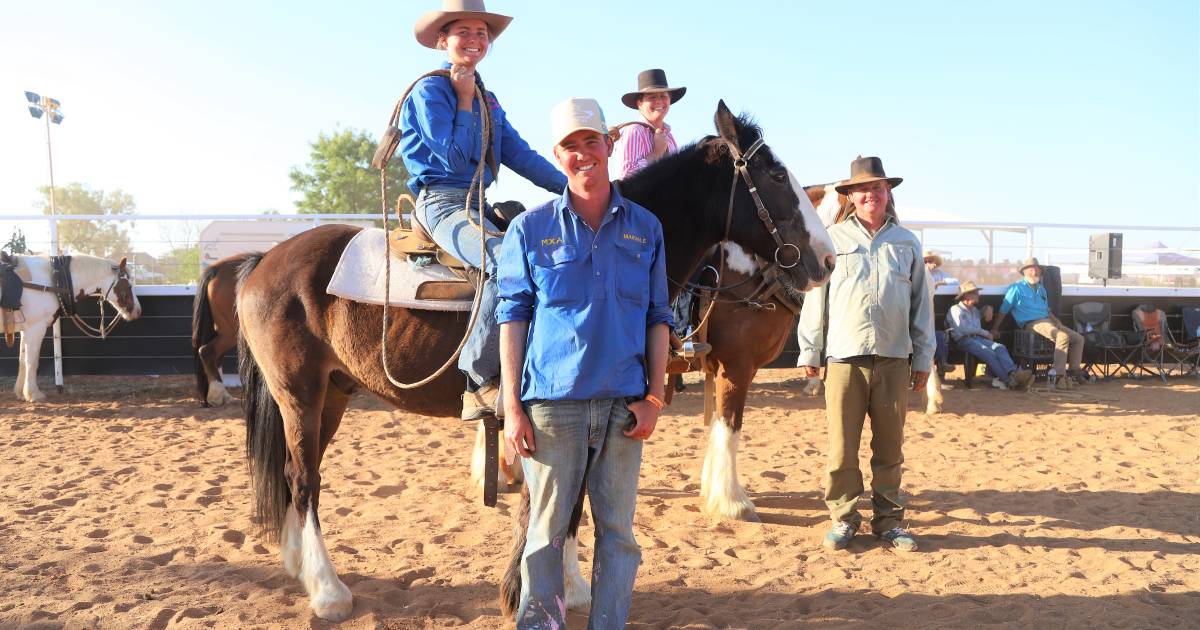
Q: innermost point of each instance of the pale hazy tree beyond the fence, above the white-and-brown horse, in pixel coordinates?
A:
(106, 239)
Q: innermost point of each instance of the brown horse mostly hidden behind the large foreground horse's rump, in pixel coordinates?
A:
(215, 327)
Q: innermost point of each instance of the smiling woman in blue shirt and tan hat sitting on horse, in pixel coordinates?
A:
(441, 143)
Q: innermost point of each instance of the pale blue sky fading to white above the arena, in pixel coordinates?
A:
(1072, 112)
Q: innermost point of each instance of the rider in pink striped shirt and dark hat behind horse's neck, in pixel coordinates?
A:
(639, 145)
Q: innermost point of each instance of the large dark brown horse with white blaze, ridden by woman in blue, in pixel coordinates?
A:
(304, 352)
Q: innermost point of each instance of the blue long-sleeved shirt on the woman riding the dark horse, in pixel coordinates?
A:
(441, 146)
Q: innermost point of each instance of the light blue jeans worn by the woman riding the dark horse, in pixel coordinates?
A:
(442, 211)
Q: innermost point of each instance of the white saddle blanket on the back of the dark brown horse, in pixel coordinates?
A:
(359, 277)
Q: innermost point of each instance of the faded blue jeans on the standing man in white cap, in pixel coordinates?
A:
(573, 439)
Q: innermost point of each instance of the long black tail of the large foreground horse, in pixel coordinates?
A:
(266, 445)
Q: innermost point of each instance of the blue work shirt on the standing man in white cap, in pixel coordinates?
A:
(590, 298)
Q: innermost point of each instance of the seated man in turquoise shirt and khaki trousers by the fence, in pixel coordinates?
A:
(1027, 299)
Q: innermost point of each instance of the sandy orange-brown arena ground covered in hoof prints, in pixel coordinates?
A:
(124, 505)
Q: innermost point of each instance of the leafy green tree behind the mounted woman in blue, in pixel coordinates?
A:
(339, 178)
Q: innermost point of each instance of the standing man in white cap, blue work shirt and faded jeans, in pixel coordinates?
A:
(584, 319)
